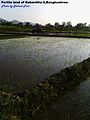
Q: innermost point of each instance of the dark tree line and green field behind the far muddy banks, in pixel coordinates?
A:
(37, 28)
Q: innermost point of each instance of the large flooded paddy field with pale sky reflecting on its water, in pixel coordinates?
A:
(35, 58)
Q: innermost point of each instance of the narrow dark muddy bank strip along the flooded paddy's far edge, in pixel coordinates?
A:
(47, 34)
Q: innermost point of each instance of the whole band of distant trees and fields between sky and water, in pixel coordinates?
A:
(21, 29)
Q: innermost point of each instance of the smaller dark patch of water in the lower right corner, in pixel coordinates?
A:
(74, 105)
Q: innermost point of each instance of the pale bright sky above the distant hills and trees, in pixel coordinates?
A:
(76, 11)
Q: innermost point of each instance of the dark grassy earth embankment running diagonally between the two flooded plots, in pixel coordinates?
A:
(34, 104)
